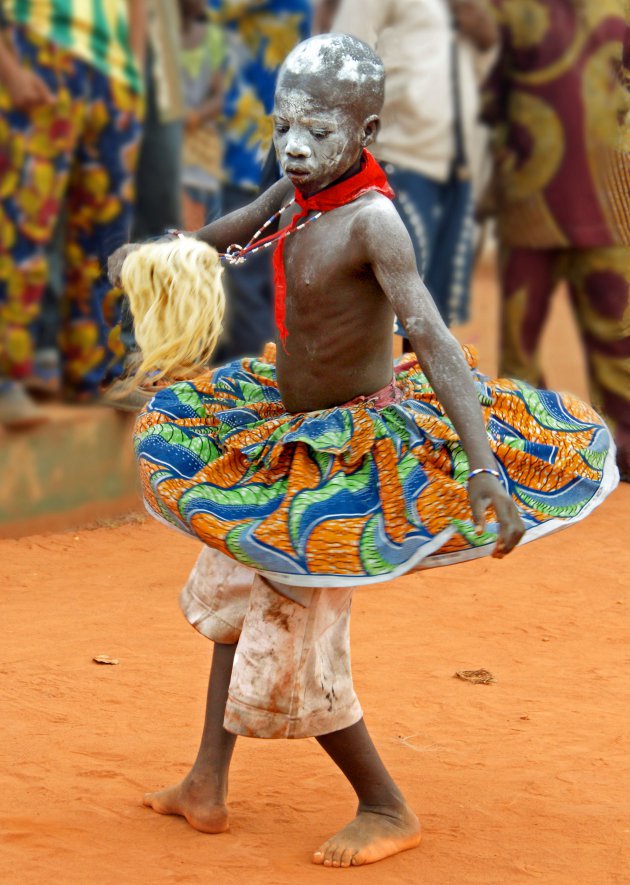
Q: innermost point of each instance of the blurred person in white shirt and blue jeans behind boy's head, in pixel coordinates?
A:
(429, 50)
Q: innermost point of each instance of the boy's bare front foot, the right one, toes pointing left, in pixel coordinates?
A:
(371, 836)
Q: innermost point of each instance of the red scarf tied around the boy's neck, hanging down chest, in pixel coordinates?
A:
(369, 178)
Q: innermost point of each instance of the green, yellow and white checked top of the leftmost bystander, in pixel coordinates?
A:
(96, 31)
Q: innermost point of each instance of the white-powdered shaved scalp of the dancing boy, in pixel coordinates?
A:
(347, 66)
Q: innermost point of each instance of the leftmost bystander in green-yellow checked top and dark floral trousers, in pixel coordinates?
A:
(70, 96)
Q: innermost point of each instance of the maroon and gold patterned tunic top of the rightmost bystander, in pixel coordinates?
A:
(555, 99)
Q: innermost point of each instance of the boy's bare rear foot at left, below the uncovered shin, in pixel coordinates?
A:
(193, 800)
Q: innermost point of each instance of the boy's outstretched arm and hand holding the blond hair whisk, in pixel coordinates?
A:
(237, 227)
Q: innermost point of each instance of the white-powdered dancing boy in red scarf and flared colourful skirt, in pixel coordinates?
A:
(315, 468)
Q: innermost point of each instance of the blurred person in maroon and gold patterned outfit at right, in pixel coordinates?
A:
(554, 100)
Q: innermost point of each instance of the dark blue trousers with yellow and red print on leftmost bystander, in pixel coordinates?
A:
(80, 151)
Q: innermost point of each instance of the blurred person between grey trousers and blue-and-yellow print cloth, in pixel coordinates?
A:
(203, 52)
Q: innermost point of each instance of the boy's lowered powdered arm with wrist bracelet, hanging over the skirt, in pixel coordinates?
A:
(390, 254)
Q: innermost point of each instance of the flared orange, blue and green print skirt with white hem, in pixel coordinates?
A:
(358, 494)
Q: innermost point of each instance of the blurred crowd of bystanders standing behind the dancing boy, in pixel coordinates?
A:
(120, 119)
